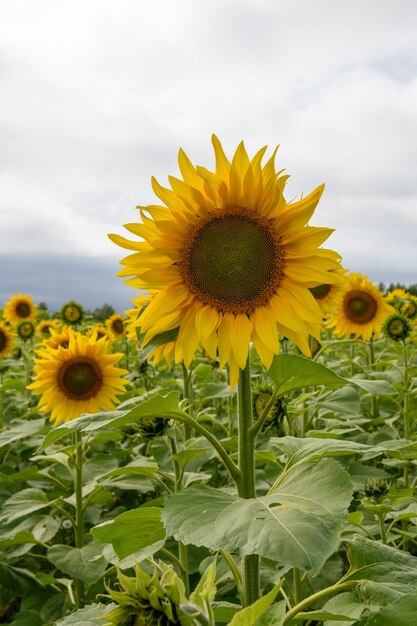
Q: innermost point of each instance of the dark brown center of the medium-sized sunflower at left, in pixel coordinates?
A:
(80, 378)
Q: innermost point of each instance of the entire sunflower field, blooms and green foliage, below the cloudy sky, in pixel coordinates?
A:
(237, 448)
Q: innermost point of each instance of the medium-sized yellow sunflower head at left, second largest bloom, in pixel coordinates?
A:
(79, 379)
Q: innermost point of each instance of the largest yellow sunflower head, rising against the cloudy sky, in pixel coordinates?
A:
(231, 260)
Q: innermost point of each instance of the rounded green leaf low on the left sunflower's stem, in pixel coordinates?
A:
(86, 564)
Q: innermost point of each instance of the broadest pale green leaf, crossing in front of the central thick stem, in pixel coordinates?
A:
(297, 525)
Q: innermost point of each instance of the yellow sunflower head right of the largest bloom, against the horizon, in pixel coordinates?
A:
(363, 309)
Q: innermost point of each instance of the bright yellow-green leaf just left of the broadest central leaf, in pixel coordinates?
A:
(140, 529)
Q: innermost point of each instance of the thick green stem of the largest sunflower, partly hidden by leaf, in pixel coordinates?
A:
(246, 484)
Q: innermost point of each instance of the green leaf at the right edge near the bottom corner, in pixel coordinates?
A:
(385, 573)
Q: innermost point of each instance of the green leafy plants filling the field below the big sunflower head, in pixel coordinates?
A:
(287, 500)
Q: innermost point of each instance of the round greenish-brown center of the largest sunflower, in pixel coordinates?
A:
(232, 260)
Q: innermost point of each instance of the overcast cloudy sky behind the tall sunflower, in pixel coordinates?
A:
(98, 95)
